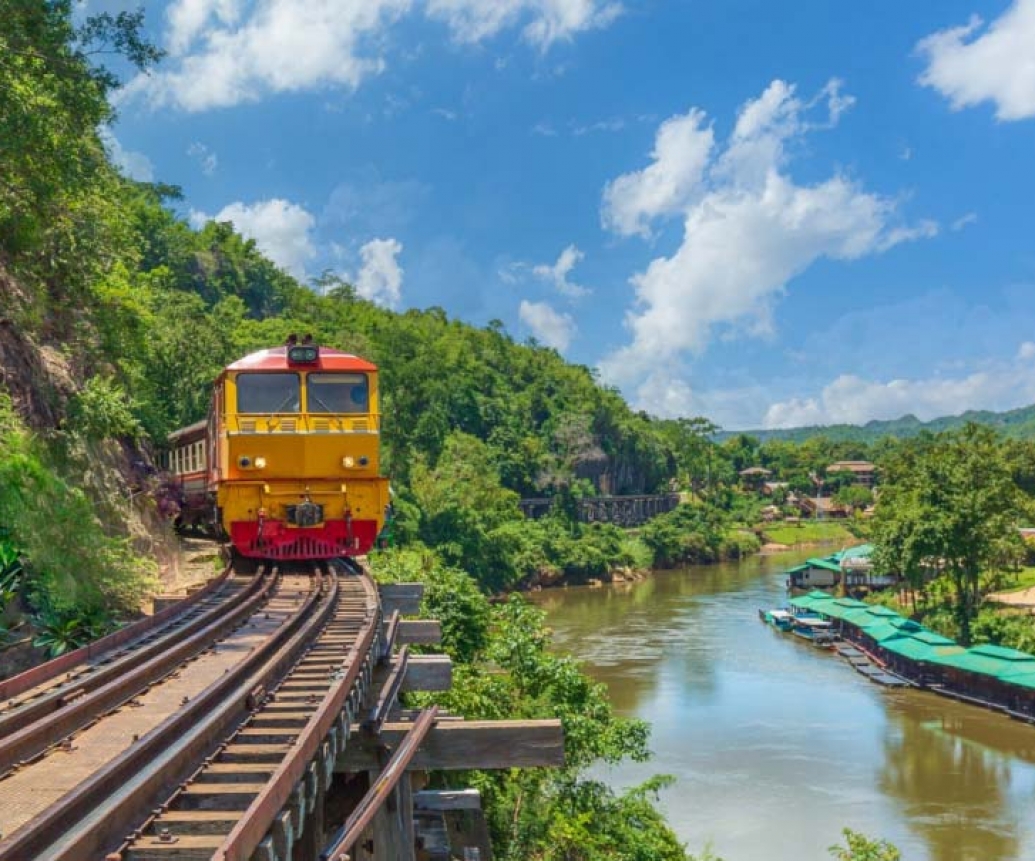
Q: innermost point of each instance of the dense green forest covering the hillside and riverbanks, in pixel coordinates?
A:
(116, 315)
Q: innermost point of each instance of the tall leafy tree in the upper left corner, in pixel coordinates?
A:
(57, 189)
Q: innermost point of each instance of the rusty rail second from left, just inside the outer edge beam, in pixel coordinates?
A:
(58, 697)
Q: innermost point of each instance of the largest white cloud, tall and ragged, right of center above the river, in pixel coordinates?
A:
(749, 229)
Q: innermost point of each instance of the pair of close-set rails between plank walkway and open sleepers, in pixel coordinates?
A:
(121, 793)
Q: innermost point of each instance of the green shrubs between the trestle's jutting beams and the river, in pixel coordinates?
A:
(504, 669)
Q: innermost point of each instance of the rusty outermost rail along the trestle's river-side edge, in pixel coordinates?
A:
(258, 819)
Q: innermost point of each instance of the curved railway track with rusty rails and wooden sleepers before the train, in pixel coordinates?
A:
(204, 774)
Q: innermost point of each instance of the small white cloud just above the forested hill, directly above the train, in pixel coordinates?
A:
(282, 230)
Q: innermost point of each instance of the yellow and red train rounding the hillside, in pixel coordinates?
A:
(286, 467)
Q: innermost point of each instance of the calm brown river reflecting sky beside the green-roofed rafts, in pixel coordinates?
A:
(777, 746)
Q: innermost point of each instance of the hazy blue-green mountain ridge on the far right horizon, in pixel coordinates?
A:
(1018, 424)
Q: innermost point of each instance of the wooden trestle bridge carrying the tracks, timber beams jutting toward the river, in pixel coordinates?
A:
(257, 721)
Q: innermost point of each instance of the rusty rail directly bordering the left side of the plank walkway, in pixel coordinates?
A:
(37, 737)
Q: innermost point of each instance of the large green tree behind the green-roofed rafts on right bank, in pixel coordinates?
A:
(950, 503)
